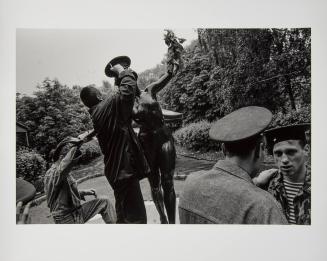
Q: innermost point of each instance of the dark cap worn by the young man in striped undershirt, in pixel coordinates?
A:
(290, 132)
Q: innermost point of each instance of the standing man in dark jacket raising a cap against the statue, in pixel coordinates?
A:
(125, 163)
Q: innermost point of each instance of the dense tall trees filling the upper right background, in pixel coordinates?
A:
(230, 68)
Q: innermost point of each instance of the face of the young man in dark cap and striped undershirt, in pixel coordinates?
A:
(290, 157)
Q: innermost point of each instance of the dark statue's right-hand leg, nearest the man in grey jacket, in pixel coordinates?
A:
(167, 167)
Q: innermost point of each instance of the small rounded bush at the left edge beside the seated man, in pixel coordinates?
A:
(30, 166)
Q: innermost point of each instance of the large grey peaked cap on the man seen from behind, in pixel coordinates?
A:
(241, 124)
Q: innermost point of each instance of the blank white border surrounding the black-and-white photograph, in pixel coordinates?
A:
(151, 242)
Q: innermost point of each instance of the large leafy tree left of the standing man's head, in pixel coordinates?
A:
(53, 113)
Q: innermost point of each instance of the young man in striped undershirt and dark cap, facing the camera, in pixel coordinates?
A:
(290, 184)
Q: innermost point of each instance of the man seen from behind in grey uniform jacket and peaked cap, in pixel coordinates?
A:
(226, 194)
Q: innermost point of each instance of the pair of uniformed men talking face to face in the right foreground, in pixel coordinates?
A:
(231, 193)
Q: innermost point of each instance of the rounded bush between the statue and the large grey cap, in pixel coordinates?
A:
(195, 136)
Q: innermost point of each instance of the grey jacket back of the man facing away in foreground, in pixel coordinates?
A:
(226, 195)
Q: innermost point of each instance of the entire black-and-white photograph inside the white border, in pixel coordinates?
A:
(196, 130)
